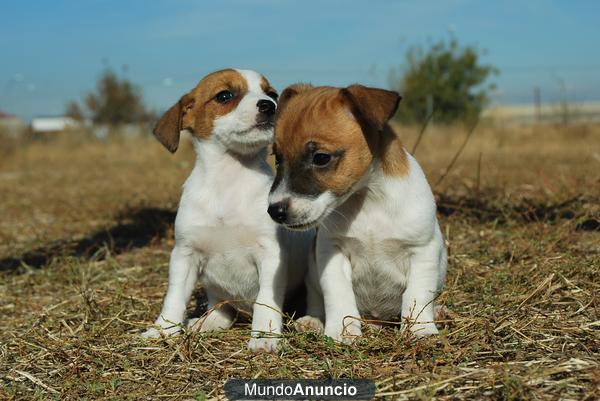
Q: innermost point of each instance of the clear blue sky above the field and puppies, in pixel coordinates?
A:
(53, 51)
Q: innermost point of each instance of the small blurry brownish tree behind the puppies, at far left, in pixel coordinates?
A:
(115, 101)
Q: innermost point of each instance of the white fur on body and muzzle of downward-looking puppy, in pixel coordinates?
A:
(379, 252)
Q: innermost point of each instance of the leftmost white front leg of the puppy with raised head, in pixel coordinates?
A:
(183, 273)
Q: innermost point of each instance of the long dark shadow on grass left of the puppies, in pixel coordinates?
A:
(136, 228)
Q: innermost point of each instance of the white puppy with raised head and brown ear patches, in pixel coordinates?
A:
(223, 235)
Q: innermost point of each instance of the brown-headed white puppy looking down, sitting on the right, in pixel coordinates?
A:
(379, 249)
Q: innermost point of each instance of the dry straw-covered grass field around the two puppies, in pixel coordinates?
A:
(86, 231)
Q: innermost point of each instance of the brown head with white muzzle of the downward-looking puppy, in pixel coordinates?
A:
(326, 140)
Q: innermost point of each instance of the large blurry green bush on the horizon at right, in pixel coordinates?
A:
(445, 79)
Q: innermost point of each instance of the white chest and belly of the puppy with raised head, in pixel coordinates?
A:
(223, 218)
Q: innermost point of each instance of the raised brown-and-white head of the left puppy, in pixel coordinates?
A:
(233, 107)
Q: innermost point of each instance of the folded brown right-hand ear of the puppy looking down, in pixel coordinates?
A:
(372, 105)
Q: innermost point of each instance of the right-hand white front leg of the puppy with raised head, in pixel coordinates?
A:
(267, 314)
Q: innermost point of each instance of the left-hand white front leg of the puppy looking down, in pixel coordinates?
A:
(341, 312)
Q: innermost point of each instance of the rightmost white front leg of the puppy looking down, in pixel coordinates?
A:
(423, 279)
